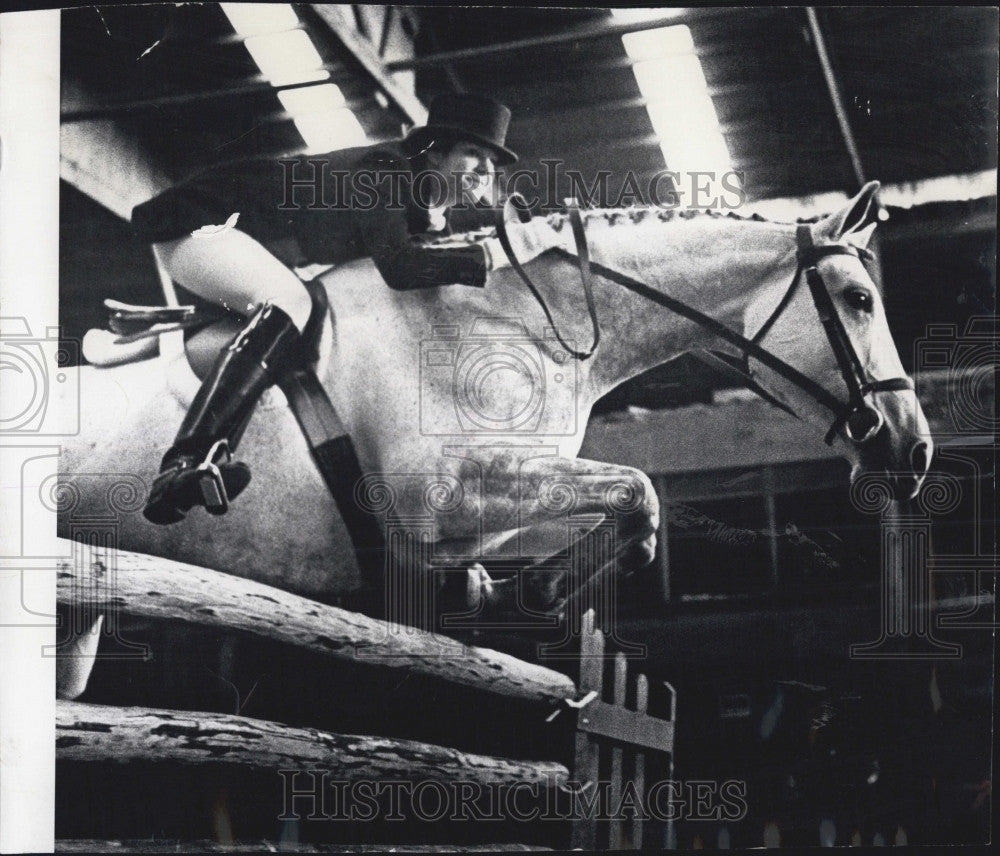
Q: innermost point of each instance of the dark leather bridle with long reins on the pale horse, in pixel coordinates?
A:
(861, 420)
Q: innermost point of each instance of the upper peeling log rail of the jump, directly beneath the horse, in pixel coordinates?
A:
(165, 589)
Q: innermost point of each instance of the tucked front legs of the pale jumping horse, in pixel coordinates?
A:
(524, 504)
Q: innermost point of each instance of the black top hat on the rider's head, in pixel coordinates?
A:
(467, 117)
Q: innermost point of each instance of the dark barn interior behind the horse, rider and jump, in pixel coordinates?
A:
(766, 571)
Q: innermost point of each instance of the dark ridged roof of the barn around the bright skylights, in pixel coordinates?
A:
(919, 86)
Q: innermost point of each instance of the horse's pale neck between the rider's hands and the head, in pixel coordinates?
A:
(715, 265)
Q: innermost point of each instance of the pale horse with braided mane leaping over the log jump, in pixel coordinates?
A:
(467, 409)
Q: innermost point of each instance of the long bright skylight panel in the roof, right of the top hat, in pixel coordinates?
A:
(680, 108)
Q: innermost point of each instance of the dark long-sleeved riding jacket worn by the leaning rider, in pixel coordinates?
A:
(325, 209)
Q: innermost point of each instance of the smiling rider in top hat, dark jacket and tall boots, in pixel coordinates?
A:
(288, 217)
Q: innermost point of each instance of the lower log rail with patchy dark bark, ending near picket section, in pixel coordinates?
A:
(121, 735)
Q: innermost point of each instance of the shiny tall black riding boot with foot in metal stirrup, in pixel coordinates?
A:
(198, 468)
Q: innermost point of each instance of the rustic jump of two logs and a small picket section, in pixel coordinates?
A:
(97, 581)
